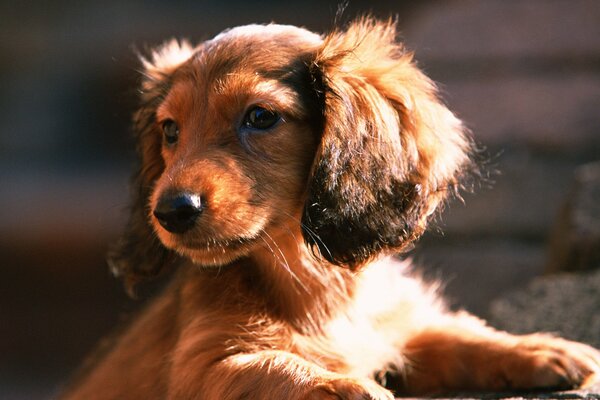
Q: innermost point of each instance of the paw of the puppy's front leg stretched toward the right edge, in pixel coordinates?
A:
(541, 361)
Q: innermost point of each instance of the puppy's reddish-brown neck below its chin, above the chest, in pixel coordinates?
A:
(281, 277)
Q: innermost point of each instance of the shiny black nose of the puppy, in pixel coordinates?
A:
(178, 212)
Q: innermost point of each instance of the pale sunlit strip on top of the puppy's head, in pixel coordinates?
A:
(269, 32)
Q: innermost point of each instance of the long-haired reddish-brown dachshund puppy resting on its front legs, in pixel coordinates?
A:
(281, 171)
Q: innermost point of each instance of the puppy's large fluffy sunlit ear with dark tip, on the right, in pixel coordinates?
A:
(390, 151)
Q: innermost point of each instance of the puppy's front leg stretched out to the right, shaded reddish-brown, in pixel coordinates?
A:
(464, 354)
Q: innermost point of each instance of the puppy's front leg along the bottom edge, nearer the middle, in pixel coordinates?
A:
(275, 375)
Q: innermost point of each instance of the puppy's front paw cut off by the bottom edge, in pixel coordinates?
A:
(349, 389)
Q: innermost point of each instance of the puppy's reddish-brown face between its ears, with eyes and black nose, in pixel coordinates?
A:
(238, 130)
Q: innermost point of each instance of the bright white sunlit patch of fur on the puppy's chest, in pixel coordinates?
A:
(369, 335)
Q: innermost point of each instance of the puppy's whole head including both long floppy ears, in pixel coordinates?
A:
(264, 128)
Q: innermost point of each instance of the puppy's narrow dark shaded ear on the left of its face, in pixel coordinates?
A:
(138, 254)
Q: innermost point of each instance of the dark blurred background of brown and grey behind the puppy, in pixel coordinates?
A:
(525, 76)
